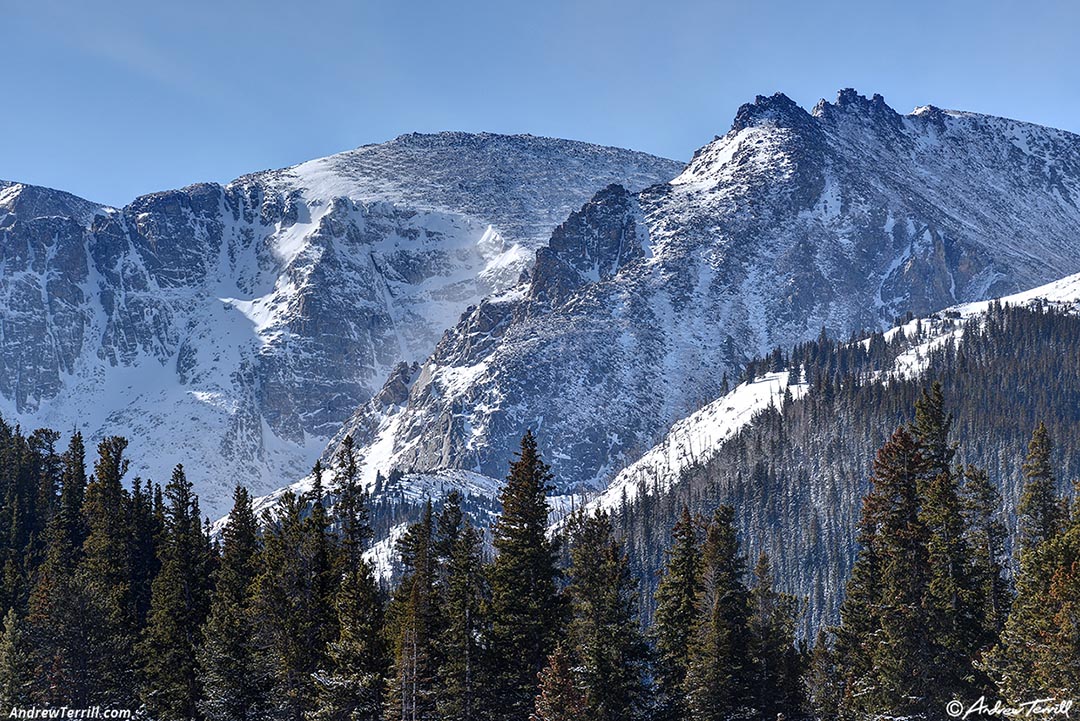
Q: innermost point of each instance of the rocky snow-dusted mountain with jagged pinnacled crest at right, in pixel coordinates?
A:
(842, 219)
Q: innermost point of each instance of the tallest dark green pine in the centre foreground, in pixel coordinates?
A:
(525, 609)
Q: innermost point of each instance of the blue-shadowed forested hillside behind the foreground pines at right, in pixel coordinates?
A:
(796, 474)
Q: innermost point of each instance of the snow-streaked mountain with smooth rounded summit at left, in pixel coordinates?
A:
(236, 328)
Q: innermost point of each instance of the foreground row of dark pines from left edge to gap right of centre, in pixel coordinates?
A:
(118, 596)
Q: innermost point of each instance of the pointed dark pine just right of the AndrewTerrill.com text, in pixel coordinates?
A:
(179, 607)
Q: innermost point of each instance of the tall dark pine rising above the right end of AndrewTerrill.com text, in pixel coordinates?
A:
(105, 573)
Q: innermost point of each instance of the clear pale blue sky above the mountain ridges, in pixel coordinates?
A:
(117, 99)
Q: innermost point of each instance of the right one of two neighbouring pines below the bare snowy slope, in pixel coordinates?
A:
(717, 674)
